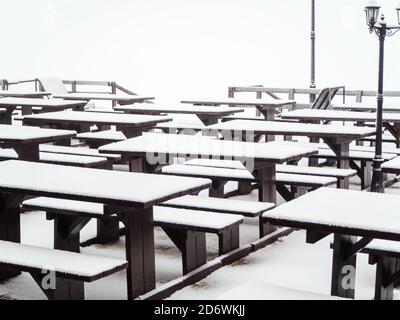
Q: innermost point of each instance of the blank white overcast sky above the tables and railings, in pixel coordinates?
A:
(180, 48)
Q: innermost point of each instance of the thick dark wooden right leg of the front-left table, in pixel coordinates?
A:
(139, 244)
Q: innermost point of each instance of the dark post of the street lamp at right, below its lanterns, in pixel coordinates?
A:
(377, 177)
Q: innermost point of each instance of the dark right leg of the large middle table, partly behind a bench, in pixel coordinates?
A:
(266, 179)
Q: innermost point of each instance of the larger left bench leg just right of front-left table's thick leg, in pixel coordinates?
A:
(192, 245)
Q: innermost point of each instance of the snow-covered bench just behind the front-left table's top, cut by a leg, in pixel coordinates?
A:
(63, 159)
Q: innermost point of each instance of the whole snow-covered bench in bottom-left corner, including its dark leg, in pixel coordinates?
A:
(59, 274)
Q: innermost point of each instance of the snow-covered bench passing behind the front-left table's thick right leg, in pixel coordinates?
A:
(186, 228)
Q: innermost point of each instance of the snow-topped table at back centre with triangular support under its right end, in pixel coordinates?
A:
(208, 115)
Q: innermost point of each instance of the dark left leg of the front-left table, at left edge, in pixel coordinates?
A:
(9, 226)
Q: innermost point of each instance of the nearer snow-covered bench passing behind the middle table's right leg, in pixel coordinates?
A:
(220, 176)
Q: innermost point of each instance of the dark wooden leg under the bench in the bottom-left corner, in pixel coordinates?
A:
(58, 288)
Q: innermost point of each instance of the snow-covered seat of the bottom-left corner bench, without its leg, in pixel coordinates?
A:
(66, 264)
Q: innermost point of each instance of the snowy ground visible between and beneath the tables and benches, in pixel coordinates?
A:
(289, 263)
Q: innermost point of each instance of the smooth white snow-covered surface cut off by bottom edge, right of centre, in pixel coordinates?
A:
(263, 291)
